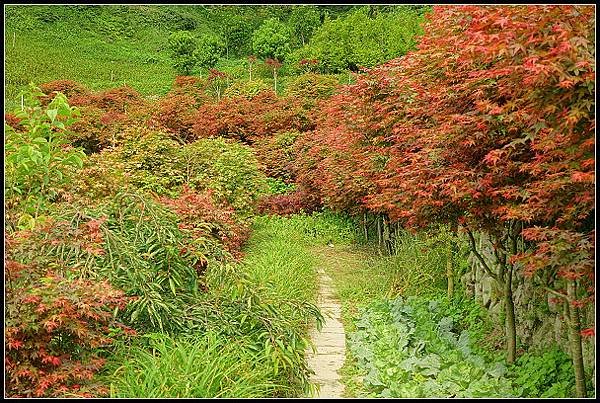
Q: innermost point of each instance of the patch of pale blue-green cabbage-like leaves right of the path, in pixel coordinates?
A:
(411, 349)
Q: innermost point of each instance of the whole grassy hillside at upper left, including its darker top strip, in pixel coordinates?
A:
(101, 47)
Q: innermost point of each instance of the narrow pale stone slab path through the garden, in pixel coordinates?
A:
(330, 342)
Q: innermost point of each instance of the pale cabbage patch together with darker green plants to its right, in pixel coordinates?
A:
(422, 347)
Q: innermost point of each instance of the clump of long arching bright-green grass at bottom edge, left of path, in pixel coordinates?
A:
(204, 366)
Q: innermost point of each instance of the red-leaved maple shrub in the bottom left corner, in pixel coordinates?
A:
(54, 327)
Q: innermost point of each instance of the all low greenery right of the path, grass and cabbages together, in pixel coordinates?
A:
(406, 338)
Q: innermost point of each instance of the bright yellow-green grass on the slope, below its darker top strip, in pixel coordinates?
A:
(61, 54)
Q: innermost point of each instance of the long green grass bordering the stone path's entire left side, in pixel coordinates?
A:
(253, 336)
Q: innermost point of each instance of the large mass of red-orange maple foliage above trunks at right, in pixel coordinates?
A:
(488, 124)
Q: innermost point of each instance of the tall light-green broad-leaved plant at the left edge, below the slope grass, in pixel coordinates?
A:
(37, 157)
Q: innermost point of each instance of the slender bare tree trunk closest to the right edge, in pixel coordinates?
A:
(575, 340)
